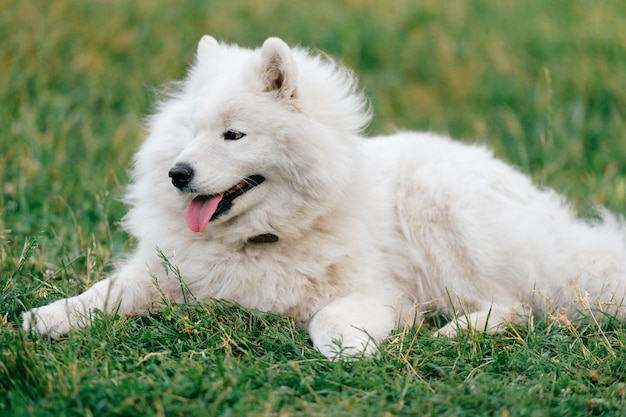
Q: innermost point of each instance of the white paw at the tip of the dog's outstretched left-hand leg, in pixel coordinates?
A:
(53, 320)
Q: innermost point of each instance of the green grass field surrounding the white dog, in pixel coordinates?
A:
(543, 83)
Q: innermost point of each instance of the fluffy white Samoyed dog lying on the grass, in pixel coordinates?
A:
(255, 182)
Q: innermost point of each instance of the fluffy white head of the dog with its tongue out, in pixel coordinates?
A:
(265, 135)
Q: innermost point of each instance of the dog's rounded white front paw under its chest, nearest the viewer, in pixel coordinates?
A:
(351, 325)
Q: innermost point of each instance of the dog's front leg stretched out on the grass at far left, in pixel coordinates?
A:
(130, 290)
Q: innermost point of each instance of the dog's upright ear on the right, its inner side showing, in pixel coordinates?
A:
(278, 69)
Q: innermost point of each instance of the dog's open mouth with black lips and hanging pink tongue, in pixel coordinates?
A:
(206, 208)
